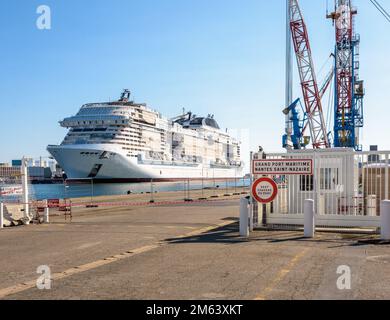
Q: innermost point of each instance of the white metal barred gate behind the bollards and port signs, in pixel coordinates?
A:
(347, 188)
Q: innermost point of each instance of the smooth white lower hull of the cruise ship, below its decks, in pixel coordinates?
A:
(78, 161)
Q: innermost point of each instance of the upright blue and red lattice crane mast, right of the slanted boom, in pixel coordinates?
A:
(349, 90)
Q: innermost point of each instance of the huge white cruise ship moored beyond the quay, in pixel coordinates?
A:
(124, 141)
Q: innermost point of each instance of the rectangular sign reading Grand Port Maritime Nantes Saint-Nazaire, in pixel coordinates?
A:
(283, 167)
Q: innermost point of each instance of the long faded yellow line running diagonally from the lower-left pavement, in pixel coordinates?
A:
(99, 263)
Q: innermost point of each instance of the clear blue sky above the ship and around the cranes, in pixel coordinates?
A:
(224, 57)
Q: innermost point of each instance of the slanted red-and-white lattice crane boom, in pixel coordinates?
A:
(311, 93)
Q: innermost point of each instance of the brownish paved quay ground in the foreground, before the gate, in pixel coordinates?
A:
(185, 251)
